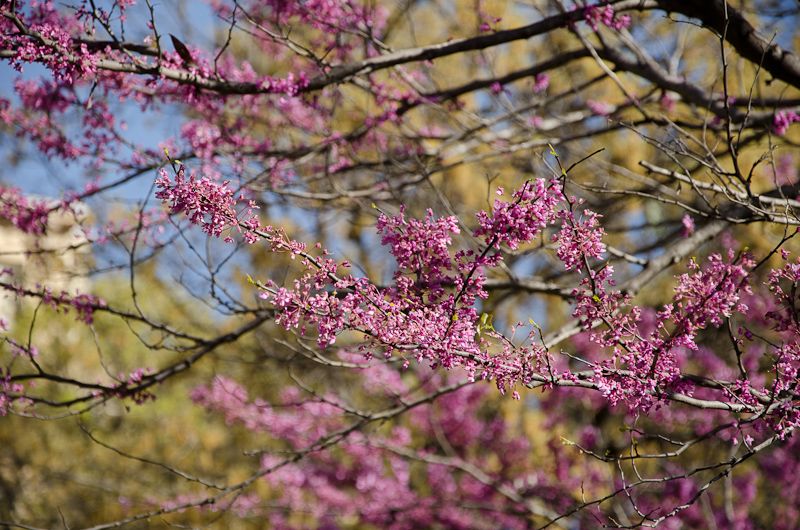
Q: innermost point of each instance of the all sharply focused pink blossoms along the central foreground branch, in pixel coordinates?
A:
(429, 312)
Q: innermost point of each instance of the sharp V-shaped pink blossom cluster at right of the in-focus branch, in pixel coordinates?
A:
(702, 298)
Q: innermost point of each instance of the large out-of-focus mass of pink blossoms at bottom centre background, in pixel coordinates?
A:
(370, 478)
